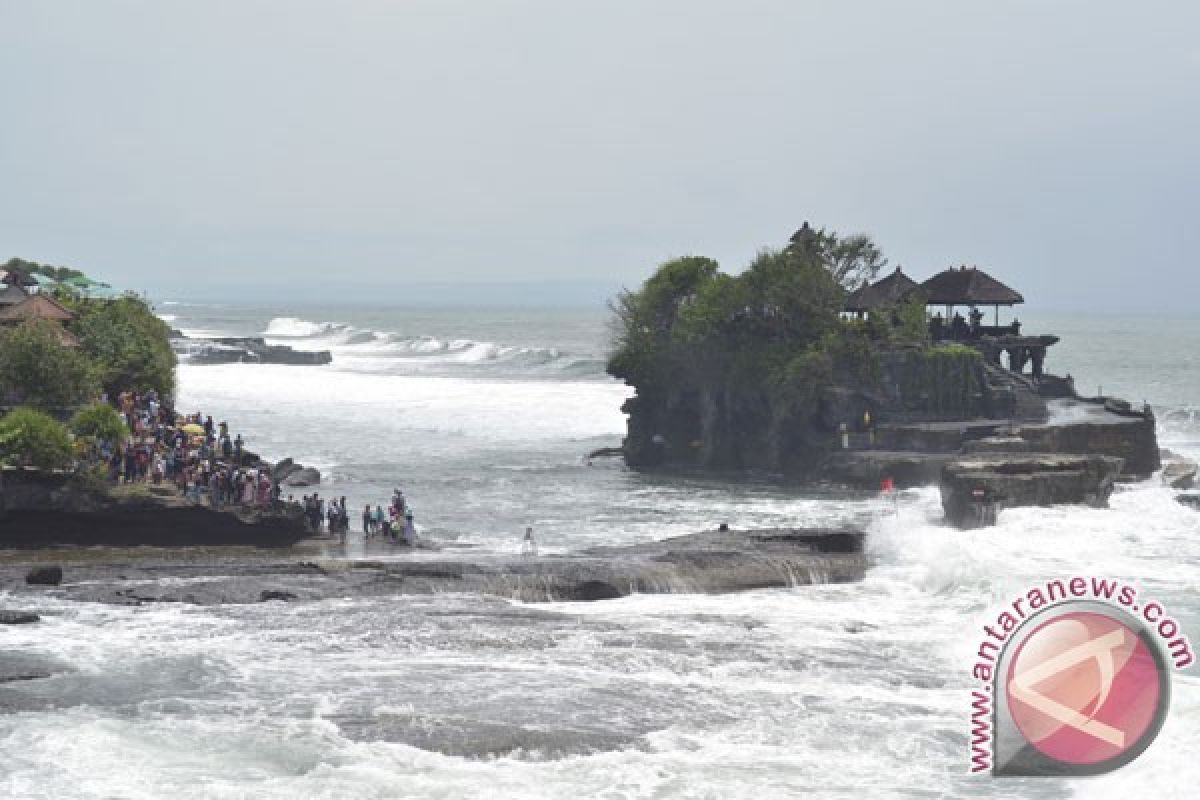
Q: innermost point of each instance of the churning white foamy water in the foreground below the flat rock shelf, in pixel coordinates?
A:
(820, 691)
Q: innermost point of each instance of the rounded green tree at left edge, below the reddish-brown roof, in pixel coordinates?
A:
(38, 369)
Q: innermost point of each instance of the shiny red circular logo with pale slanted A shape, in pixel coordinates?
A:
(1085, 689)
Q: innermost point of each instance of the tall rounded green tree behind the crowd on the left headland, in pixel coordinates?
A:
(128, 344)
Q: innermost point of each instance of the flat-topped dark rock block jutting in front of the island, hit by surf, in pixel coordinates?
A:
(974, 489)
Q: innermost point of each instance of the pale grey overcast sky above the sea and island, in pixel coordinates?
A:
(379, 146)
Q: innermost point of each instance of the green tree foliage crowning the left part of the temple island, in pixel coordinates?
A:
(777, 327)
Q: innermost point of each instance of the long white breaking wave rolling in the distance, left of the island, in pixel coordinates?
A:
(375, 351)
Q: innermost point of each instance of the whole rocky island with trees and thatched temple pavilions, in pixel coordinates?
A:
(803, 366)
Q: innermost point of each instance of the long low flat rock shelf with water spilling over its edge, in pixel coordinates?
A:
(701, 563)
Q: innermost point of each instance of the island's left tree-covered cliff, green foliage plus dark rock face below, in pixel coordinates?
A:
(734, 371)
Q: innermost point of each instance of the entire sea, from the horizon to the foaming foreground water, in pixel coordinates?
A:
(485, 419)
